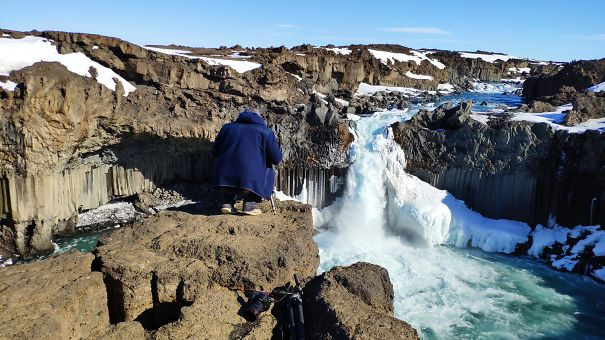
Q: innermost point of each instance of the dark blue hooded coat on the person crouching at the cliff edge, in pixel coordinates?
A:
(244, 154)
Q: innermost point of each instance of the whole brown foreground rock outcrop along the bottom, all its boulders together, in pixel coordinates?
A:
(183, 274)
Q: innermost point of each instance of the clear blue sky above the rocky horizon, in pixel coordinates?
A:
(548, 30)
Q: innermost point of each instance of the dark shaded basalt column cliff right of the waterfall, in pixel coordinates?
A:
(513, 170)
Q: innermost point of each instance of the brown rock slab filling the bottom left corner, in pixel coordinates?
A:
(58, 298)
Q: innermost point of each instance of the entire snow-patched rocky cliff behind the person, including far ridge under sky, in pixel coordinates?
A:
(70, 143)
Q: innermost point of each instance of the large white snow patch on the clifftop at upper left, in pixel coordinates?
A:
(16, 54)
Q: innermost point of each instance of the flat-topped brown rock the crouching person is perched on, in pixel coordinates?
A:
(171, 260)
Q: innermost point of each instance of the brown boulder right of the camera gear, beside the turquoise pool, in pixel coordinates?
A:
(354, 302)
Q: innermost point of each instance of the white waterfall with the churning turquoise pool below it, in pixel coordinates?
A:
(392, 219)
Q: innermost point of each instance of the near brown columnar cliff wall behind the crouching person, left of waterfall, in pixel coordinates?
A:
(70, 144)
